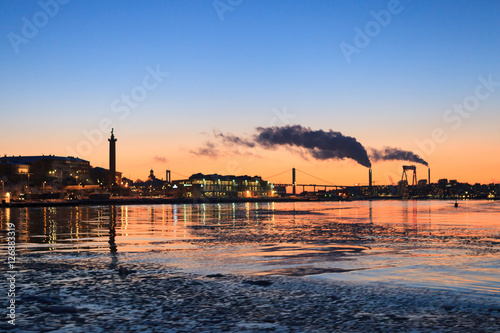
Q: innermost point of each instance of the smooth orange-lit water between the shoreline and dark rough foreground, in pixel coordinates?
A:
(417, 243)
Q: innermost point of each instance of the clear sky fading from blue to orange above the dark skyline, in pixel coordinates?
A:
(233, 74)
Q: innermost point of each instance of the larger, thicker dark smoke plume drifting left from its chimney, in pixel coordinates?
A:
(320, 144)
